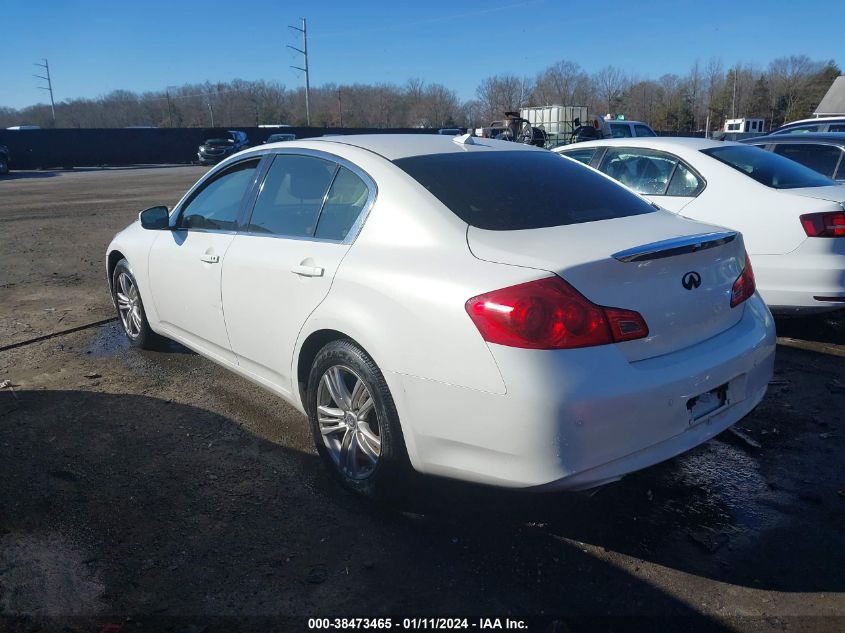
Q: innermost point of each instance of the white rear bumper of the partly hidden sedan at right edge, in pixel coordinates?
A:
(790, 283)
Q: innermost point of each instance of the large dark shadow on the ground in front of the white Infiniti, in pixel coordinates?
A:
(169, 508)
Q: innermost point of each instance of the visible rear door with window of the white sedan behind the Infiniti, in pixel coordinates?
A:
(660, 176)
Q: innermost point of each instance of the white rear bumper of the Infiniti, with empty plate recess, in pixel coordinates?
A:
(575, 419)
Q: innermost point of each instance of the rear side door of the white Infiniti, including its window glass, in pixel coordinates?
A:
(280, 266)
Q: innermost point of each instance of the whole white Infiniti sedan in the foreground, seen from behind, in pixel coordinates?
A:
(470, 308)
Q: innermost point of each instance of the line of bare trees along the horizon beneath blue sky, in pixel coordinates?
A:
(788, 88)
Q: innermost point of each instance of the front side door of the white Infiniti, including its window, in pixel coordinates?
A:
(186, 262)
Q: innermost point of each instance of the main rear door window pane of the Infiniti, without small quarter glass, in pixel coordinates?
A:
(291, 196)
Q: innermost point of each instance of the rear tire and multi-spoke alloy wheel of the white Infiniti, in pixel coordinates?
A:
(385, 476)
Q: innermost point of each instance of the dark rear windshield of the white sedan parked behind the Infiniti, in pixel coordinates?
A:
(767, 168)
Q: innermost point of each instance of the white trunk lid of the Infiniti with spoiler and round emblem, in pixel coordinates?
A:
(652, 260)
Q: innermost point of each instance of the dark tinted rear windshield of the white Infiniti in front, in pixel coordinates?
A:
(510, 191)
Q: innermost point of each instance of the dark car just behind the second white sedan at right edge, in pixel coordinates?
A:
(824, 153)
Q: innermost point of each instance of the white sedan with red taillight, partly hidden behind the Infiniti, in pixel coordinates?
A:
(787, 212)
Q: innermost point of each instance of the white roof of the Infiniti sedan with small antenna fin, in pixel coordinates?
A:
(397, 146)
